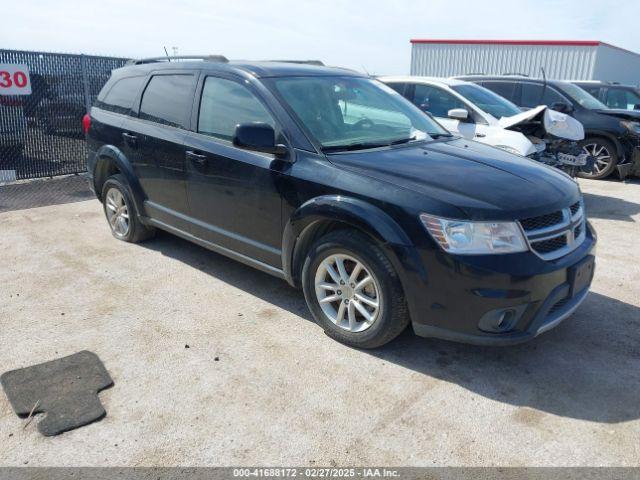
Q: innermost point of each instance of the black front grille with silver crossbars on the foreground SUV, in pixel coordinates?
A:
(555, 234)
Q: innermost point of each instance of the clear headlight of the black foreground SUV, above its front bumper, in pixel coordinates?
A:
(475, 238)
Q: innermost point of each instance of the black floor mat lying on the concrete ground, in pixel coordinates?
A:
(66, 390)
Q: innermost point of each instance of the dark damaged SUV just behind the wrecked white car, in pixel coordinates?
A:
(611, 136)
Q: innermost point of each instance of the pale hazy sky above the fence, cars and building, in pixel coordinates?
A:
(371, 36)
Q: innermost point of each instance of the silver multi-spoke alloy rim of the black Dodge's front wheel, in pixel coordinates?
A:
(348, 293)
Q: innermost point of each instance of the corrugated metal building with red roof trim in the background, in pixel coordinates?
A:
(562, 60)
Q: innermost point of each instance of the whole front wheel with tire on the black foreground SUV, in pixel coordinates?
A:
(353, 291)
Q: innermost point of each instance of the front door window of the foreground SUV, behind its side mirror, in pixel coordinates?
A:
(225, 104)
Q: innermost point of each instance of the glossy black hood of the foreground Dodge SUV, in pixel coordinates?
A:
(482, 181)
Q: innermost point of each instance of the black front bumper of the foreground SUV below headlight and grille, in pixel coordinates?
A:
(463, 291)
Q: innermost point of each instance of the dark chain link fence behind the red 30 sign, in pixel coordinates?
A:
(41, 133)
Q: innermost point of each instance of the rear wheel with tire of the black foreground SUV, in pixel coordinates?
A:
(120, 211)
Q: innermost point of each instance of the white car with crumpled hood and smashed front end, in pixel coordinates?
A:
(476, 113)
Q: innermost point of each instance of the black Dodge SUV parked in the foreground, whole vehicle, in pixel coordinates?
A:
(332, 181)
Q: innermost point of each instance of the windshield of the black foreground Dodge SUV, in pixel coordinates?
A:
(350, 113)
